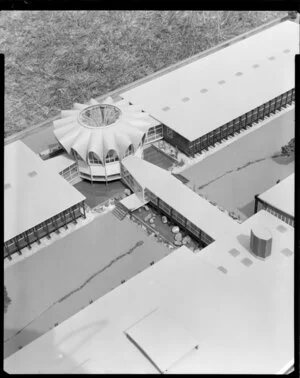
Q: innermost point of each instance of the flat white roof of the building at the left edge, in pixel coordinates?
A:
(32, 192)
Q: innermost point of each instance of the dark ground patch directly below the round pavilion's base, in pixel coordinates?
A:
(98, 192)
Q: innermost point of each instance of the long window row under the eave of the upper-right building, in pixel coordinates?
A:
(246, 120)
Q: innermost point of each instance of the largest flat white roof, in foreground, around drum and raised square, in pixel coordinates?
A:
(243, 319)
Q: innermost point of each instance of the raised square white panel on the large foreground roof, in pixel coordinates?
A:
(162, 339)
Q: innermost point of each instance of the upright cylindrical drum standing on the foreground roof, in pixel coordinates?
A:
(261, 241)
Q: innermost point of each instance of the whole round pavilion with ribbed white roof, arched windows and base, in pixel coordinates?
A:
(100, 135)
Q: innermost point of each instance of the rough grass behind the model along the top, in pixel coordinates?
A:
(53, 59)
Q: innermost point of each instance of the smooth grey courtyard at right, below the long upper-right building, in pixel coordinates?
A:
(232, 176)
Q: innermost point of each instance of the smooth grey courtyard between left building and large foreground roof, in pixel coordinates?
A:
(61, 279)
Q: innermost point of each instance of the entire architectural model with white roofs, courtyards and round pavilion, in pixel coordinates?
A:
(219, 300)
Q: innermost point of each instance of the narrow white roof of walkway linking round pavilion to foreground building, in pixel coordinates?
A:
(189, 204)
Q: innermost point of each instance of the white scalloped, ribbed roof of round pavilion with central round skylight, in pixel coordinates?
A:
(100, 127)
